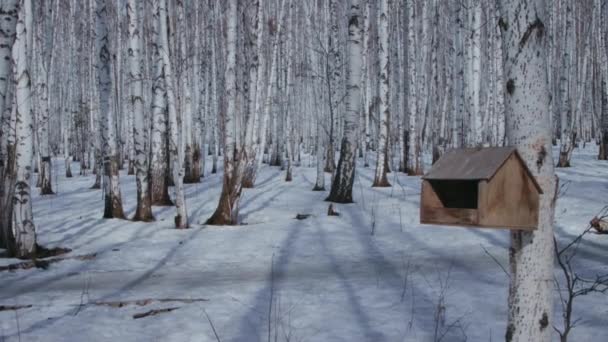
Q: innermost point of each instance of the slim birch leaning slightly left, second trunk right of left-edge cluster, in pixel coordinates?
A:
(111, 186)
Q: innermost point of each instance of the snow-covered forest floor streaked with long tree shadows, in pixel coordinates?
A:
(372, 274)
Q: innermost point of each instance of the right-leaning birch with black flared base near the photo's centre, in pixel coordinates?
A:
(342, 186)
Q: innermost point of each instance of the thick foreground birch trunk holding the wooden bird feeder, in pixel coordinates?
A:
(528, 126)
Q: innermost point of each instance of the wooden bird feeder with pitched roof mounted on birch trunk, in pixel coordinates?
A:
(481, 187)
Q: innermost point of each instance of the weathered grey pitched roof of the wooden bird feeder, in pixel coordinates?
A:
(474, 164)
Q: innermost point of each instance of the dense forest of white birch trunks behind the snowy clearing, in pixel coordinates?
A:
(172, 91)
